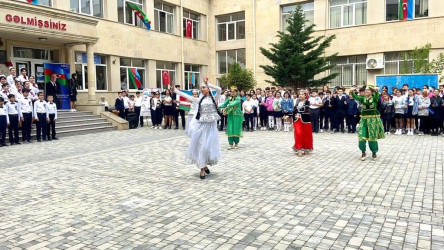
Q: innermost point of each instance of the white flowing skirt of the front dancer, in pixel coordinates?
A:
(204, 148)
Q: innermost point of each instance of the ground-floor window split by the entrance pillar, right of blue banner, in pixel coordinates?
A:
(82, 71)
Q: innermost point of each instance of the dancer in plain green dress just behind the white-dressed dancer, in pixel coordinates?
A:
(235, 117)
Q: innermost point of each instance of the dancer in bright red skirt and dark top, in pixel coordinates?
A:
(303, 135)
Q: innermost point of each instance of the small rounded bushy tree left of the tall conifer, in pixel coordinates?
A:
(242, 79)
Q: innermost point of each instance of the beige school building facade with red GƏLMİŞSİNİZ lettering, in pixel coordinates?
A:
(102, 40)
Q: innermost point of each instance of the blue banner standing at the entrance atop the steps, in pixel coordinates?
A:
(63, 73)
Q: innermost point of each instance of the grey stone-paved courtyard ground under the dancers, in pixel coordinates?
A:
(128, 189)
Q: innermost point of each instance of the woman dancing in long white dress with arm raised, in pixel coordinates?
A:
(204, 149)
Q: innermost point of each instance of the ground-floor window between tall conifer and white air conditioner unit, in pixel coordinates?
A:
(352, 71)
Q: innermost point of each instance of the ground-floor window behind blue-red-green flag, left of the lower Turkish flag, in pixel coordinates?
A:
(132, 72)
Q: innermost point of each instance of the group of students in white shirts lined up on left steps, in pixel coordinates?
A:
(22, 104)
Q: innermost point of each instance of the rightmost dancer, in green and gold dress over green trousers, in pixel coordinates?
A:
(370, 126)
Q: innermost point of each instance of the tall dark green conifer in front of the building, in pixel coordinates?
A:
(298, 56)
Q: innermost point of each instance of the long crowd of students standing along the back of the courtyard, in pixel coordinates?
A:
(406, 110)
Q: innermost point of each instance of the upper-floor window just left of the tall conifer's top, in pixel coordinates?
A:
(231, 27)
